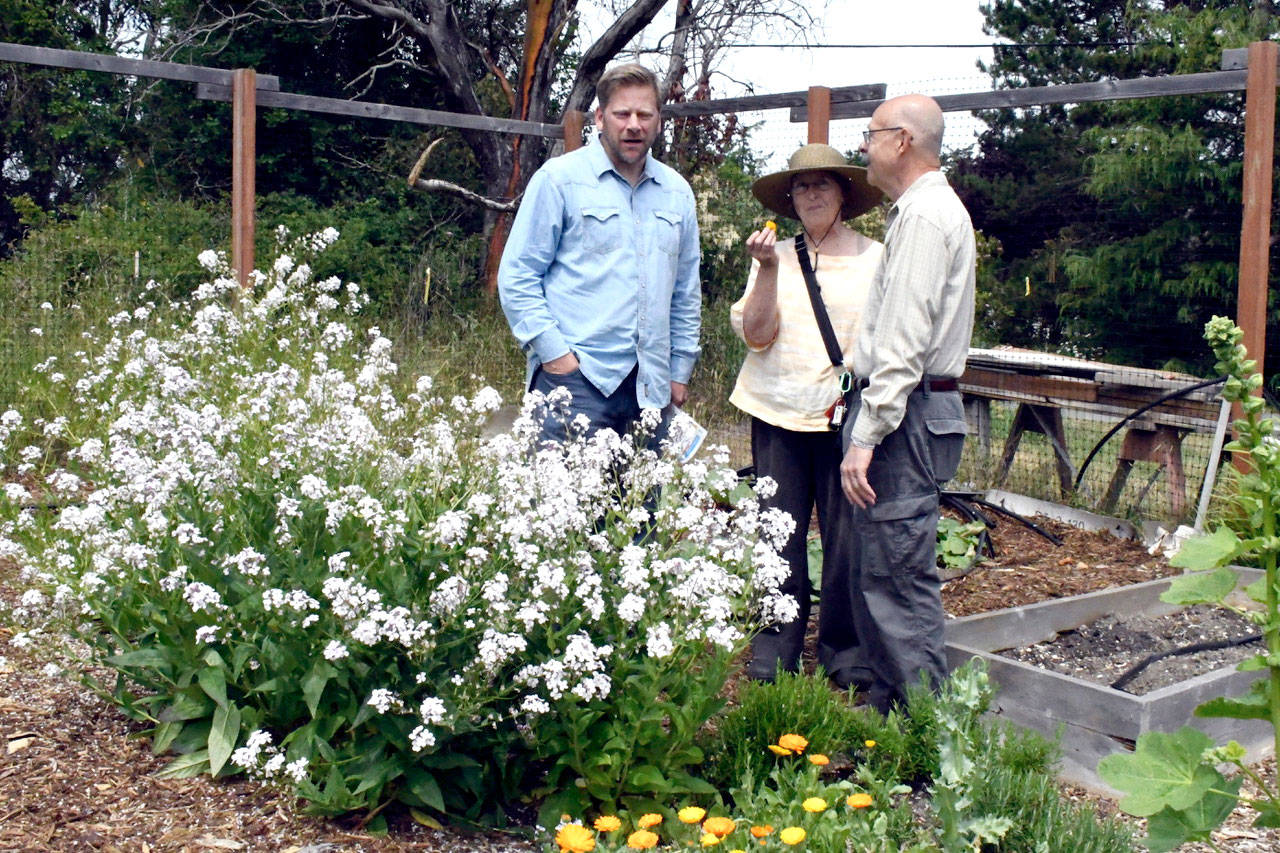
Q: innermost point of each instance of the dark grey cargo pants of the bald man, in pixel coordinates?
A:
(893, 576)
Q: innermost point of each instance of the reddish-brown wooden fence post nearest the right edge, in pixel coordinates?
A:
(1260, 129)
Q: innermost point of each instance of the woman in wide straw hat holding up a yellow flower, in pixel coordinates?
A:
(790, 382)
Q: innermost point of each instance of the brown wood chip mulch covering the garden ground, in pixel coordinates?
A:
(76, 777)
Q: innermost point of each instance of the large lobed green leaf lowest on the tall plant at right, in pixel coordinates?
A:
(1165, 770)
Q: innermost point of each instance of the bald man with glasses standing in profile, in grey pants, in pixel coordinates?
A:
(907, 428)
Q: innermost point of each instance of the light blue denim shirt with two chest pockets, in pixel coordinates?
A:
(607, 271)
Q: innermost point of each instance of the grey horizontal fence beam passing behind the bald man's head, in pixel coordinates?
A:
(1110, 90)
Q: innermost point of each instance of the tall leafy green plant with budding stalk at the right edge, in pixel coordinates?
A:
(1173, 779)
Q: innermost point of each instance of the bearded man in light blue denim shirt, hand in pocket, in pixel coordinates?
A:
(600, 279)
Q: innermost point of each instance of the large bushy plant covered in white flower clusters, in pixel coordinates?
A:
(308, 568)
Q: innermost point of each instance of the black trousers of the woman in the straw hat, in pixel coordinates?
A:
(807, 469)
